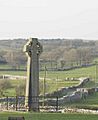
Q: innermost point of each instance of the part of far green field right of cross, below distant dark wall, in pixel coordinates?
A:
(76, 73)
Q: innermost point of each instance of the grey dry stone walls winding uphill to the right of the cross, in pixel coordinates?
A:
(77, 95)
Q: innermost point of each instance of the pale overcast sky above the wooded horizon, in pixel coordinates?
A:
(49, 19)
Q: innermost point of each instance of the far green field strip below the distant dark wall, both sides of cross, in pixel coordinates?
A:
(75, 73)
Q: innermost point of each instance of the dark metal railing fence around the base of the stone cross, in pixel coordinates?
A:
(18, 103)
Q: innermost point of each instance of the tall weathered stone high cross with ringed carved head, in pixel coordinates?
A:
(33, 49)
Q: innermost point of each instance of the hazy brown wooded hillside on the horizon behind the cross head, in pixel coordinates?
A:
(59, 51)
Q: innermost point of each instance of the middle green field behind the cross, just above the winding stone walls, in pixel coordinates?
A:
(50, 86)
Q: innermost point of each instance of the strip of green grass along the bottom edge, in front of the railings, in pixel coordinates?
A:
(49, 116)
